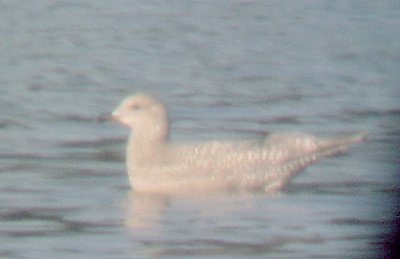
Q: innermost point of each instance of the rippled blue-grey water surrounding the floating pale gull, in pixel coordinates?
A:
(227, 69)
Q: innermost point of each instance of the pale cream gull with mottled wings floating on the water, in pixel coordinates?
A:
(156, 165)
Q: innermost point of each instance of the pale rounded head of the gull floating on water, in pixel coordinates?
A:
(144, 114)
